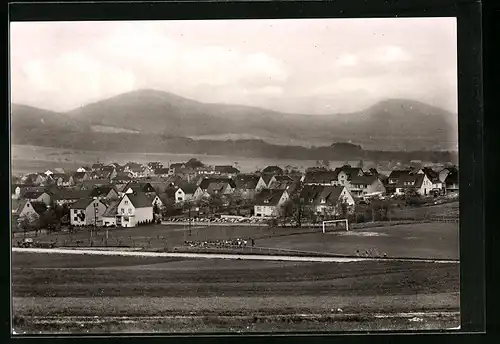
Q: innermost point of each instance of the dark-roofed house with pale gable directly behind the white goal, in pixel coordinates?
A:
(327, 200)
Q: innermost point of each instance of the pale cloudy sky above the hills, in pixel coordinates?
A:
(313, 66)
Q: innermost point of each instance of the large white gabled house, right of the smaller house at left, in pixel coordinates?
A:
(134, 208)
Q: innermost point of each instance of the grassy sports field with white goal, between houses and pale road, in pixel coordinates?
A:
(418, 240)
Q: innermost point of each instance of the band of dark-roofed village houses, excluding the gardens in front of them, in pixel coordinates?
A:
(125, 199)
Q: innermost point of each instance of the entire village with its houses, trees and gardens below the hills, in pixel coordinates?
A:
(112, 195)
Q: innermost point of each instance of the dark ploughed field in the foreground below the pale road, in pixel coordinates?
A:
(51, 287)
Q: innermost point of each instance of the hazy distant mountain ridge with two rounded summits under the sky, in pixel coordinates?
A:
(393, 124)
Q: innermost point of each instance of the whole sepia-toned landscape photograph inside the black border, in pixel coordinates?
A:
(234, 176)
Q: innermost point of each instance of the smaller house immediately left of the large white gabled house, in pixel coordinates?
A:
(87, 211)
